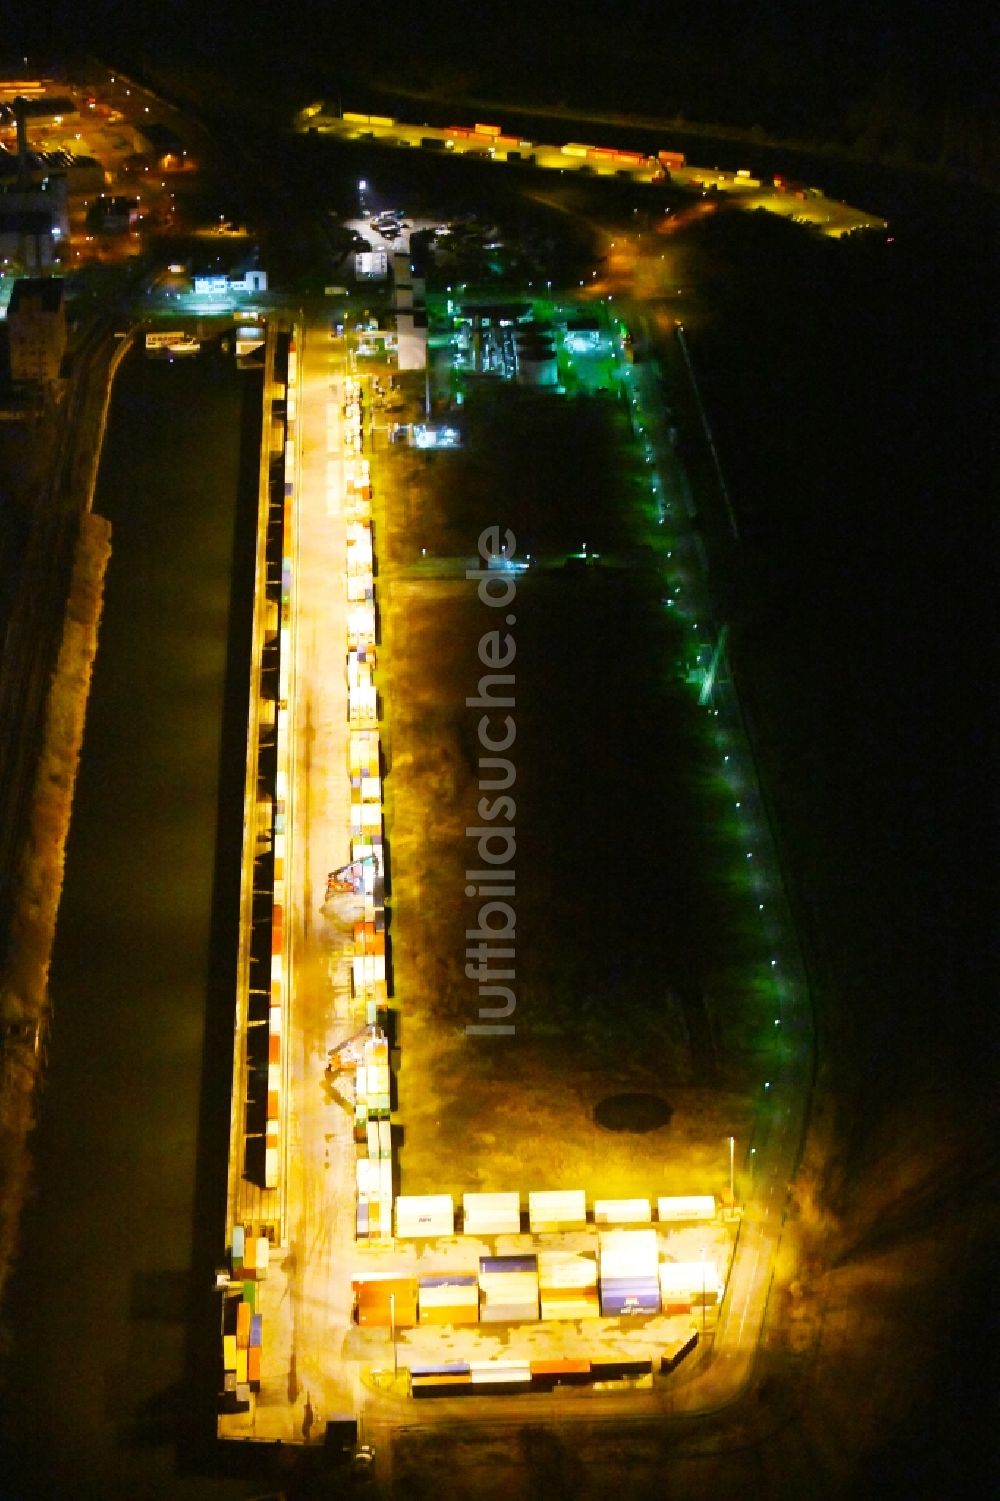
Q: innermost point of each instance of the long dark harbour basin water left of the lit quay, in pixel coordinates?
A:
(118, 1244)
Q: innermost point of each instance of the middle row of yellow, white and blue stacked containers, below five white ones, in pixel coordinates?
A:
(625, 1278)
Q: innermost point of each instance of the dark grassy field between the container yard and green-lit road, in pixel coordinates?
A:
(643, 955)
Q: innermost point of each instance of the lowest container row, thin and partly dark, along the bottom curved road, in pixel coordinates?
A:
(505, 1377)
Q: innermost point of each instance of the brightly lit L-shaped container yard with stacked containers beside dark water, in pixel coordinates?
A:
(373, 1296)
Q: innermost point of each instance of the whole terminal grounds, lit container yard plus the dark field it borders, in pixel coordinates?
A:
(514, 1194)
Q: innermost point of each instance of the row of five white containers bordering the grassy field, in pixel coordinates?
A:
(433, 1215)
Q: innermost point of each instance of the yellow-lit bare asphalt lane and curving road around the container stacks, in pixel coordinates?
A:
(319, 1364)
